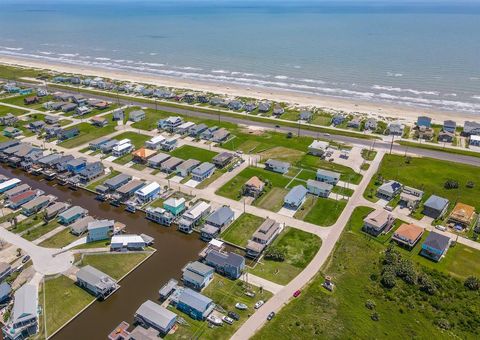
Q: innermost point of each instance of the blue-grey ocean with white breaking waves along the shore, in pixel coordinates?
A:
(420, 55)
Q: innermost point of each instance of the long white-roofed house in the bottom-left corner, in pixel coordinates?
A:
(23, 321)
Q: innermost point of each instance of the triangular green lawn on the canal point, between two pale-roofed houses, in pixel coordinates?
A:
(116, 265)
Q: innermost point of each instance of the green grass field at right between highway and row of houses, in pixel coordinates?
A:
(429, 175)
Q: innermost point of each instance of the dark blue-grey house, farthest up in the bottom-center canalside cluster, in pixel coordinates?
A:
(228, 264)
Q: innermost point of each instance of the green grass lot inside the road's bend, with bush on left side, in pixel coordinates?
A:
(299, 248)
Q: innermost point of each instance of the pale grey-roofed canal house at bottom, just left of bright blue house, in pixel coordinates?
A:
(153, 315)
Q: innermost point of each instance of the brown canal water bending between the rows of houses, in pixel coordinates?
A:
(174, 250)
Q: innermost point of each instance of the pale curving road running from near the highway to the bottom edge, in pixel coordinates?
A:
(257, 320)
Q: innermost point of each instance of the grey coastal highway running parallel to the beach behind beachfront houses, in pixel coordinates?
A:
(277, 126)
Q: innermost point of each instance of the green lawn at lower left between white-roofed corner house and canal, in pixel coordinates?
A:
(63, 300)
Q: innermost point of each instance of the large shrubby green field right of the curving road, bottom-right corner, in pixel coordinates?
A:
(404, 311)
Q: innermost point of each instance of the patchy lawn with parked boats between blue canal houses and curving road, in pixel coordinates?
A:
(225, 293)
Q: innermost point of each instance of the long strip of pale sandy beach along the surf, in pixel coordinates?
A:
(404, 113)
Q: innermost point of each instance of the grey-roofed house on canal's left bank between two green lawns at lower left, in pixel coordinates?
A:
(96, 282)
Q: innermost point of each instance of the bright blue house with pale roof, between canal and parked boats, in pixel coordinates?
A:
(196, 305)
